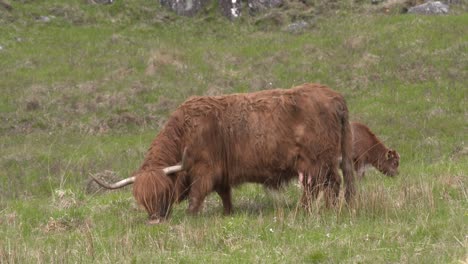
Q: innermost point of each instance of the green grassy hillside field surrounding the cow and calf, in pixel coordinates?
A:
(88, 90)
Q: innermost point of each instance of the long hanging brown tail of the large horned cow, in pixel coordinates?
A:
(347, 154)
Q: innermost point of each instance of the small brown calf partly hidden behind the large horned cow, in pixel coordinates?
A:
(369, 150)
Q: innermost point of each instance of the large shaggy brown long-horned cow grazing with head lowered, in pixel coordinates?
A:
(267, 137)
